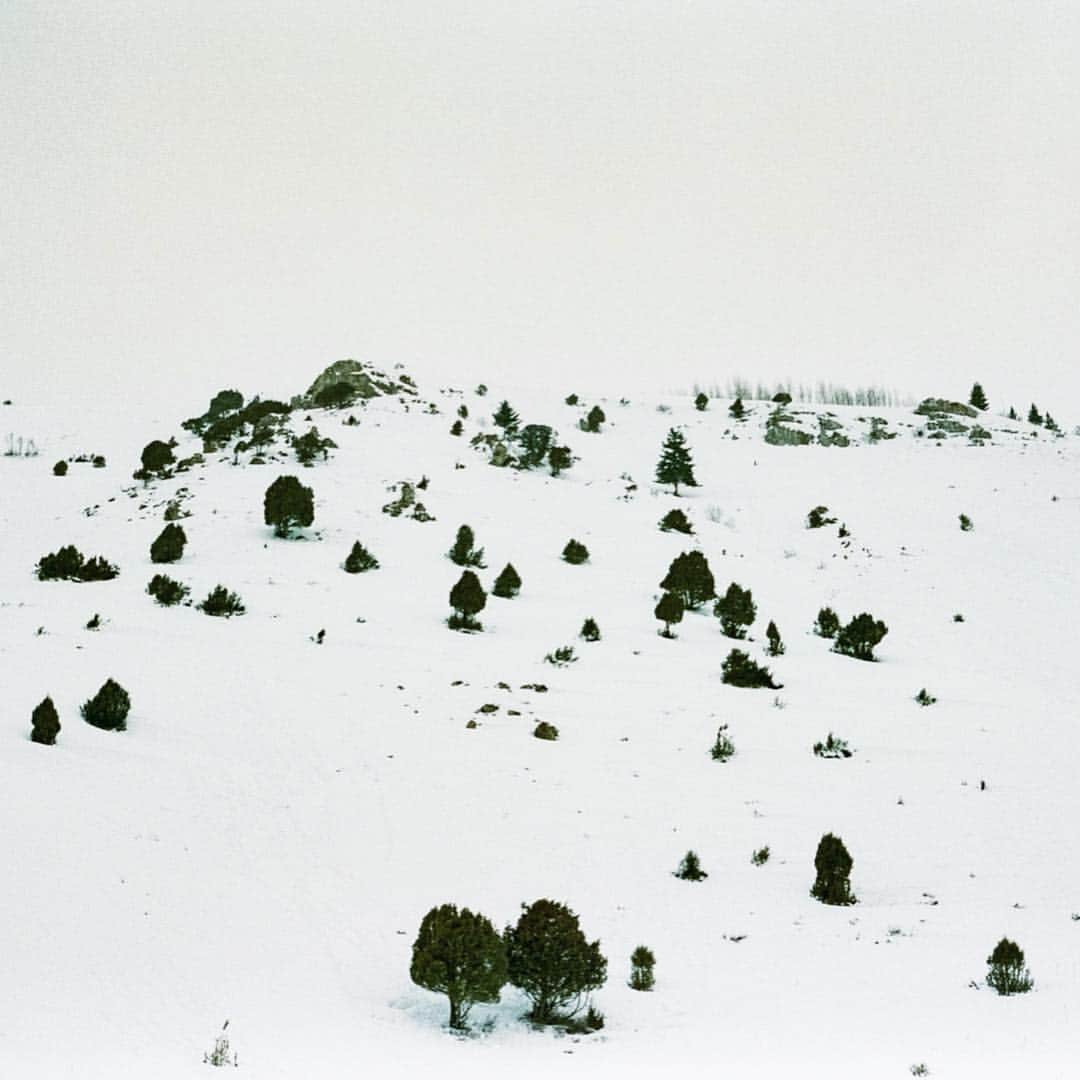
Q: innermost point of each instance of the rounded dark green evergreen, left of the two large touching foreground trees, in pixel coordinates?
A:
(462, 955)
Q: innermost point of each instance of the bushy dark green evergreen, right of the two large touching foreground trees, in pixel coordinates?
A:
(550, 961)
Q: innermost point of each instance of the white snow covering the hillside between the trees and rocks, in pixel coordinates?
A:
(264, 841)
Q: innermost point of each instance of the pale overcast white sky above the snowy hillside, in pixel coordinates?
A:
(597, 195)
